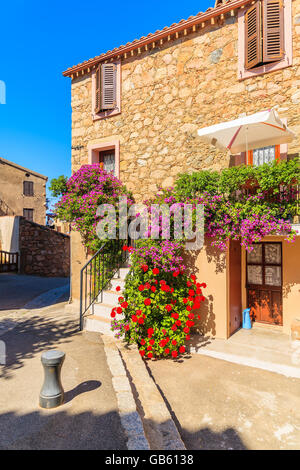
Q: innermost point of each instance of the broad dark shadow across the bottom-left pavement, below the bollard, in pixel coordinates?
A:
(61, 430)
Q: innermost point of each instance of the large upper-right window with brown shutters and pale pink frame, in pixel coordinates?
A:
(265, 37)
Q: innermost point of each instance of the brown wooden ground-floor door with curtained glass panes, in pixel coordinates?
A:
(264, 282)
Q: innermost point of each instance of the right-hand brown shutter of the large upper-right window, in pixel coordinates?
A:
(273, 29)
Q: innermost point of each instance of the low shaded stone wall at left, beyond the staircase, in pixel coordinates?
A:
(43, 251)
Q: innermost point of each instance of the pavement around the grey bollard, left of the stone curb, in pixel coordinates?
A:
(89, 419)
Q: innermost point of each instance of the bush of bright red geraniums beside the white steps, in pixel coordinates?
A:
(158, 329)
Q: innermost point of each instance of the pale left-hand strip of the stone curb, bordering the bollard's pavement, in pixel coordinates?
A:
(130, 419)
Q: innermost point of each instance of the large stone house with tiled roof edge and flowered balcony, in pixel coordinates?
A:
(136, 110)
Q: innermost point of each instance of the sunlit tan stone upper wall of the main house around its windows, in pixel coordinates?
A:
(171, 91)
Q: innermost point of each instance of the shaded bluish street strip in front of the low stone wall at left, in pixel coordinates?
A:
(17, 290)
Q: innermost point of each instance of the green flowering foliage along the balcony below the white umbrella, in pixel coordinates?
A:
(266, 189)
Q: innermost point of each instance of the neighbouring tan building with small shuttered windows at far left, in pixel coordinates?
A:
(22, 192)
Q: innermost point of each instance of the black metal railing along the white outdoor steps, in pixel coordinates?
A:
(97, 273)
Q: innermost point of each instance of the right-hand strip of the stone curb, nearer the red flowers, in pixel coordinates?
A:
(160, 429)
